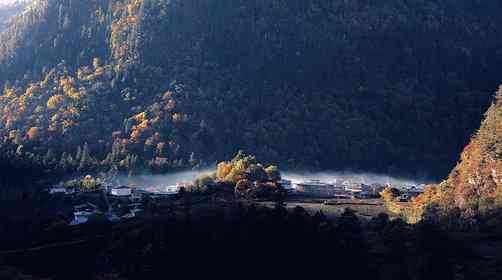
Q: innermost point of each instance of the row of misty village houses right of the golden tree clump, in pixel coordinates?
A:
(346, 189)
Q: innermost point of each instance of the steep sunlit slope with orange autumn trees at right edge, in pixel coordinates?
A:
(475, 185)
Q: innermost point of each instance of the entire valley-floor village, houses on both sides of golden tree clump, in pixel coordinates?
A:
(117, 203)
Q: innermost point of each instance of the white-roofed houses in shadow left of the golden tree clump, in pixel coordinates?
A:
(122, 202)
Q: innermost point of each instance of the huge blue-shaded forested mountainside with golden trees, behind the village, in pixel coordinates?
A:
(332, 84)
